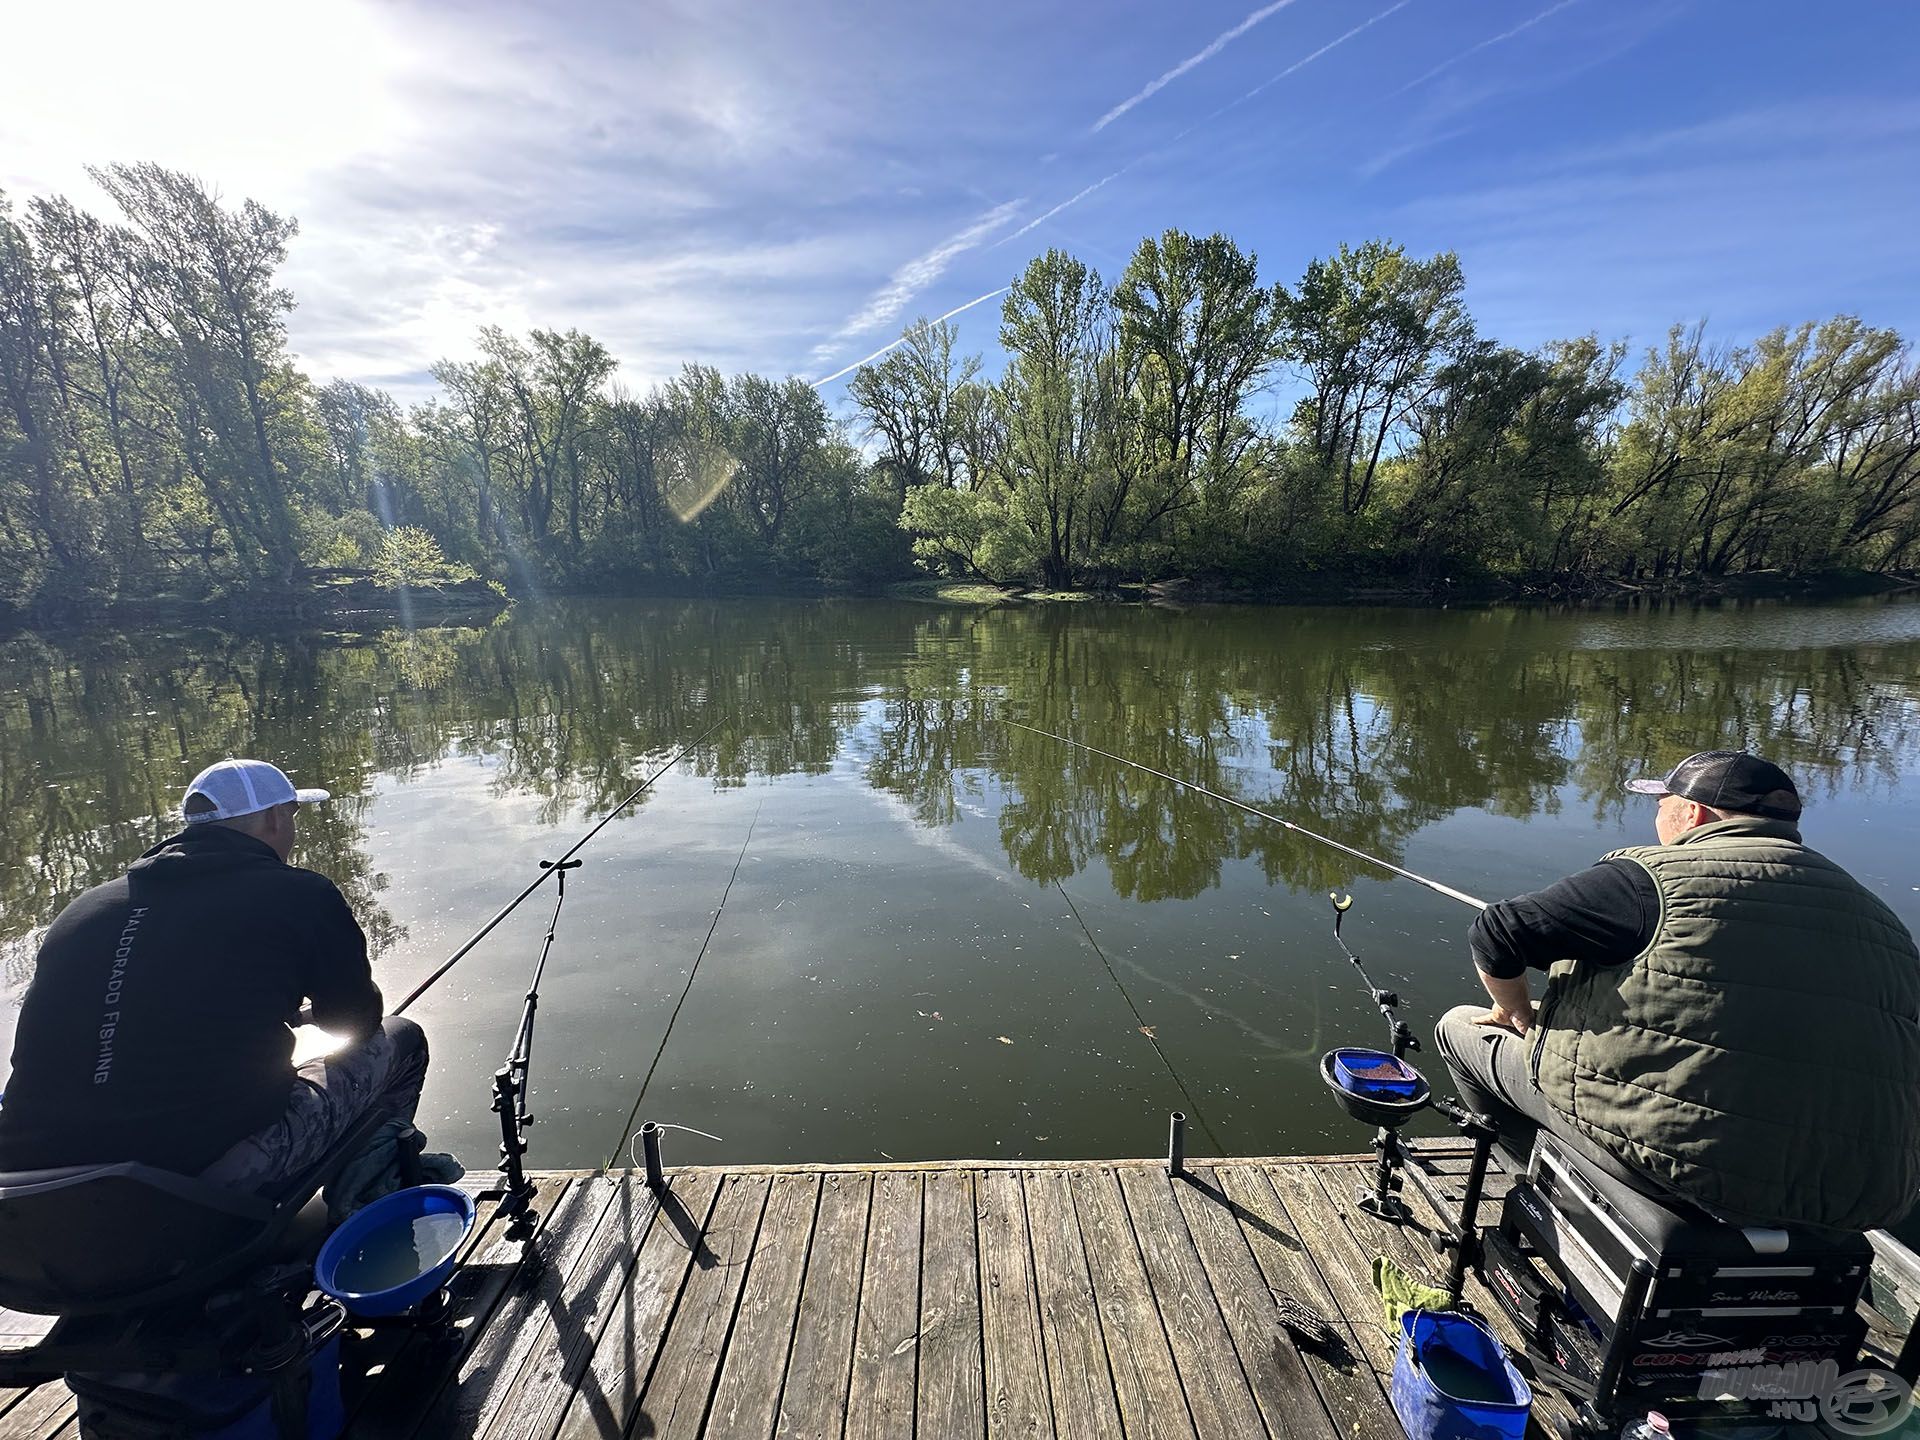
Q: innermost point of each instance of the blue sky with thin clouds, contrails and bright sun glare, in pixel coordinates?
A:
(782, 187)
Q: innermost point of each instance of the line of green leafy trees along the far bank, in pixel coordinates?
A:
(1189, 420)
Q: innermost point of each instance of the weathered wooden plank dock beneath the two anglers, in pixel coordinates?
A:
(1074, 1299)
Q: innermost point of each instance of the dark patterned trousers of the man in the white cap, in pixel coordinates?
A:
(387, 1072)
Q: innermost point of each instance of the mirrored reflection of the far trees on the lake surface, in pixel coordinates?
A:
(1368, 727)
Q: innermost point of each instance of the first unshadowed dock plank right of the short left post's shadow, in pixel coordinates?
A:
(748, 1399)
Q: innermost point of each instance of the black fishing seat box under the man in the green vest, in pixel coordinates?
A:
(1677, 1295)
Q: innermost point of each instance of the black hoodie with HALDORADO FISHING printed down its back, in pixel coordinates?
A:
(156, 1024)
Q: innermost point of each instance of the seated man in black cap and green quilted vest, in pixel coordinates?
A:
(1729, 1017)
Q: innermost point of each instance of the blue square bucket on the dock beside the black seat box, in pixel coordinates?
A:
(1452, 1381)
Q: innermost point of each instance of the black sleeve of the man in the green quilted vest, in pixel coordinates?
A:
(1604, 915)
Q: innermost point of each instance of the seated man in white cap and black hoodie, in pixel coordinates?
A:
(158, 1020)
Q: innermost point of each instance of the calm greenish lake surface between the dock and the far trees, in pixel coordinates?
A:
(942, 936)
